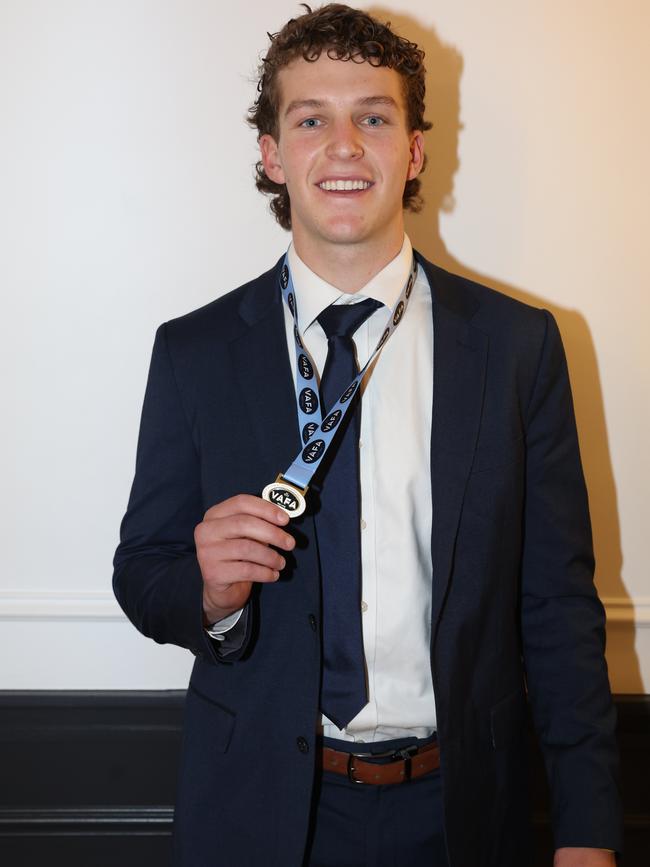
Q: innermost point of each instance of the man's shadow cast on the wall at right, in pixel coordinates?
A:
(444, 70)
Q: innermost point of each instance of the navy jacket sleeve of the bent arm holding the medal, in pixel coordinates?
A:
(157, 579)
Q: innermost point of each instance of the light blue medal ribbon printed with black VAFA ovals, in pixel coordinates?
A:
(317, 432)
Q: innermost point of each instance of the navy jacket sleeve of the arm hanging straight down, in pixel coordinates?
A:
(563, 622)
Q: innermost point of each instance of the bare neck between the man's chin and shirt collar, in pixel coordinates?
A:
(348, 267)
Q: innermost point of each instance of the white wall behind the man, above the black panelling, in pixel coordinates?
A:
(126, 198)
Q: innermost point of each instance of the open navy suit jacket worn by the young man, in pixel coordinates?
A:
(515, 613)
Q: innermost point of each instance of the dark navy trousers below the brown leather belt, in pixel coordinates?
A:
(355, 825)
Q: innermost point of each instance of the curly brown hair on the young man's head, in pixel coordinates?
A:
(344, 34)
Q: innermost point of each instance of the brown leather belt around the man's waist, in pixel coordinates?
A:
(403, 765)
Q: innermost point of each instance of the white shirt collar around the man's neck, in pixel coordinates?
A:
(314, 294)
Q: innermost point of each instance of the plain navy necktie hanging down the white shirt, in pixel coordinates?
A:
(338, 520)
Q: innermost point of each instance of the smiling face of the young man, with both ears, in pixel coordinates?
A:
(345, 152)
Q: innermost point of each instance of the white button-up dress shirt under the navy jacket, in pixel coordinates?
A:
(396, 510)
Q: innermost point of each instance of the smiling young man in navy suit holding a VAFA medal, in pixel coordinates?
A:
(359, 690)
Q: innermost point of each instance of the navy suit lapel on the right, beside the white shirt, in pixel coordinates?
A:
(460, 359)
